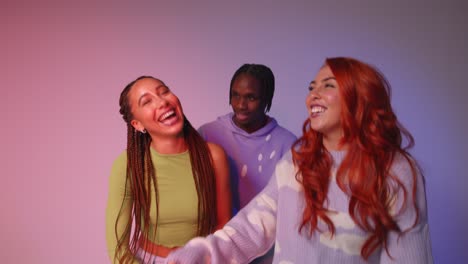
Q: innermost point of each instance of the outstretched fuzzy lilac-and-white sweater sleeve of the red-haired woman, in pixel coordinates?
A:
(249, 234)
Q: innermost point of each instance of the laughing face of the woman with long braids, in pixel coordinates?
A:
(155, 109)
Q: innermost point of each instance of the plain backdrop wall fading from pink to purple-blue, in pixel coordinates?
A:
(63, 66)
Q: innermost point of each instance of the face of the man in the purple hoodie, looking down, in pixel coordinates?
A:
(248, 103)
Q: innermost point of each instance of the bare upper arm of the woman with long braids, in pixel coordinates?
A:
(223, 190)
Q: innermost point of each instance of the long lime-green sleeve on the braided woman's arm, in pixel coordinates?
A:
(119, 201)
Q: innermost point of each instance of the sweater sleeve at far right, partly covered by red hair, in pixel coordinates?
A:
(413, 245)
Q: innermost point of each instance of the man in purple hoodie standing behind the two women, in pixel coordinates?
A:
(253, 141)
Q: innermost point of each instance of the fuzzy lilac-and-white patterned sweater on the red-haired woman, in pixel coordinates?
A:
(274, 215)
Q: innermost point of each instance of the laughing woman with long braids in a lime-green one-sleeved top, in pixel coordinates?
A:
(169, 185)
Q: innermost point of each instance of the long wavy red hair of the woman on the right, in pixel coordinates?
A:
(373, 137)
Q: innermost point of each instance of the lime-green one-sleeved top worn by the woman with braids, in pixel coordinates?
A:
(178, 200)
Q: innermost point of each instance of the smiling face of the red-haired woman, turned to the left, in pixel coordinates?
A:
(324, 107)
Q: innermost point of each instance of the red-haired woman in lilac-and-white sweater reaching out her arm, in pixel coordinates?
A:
(348, 192)
